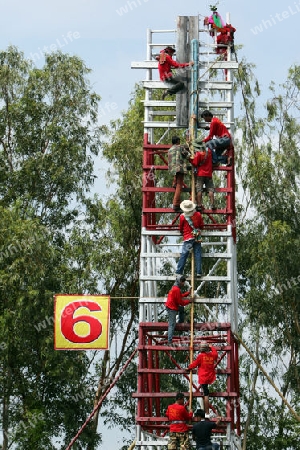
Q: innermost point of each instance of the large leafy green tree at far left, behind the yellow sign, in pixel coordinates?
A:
(49, 136)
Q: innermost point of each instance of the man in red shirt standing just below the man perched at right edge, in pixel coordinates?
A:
(203, 162)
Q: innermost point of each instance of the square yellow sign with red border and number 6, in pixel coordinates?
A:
(81, 322)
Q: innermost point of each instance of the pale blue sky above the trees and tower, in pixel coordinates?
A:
(109, 34)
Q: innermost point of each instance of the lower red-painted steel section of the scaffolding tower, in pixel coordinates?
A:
(150, 398)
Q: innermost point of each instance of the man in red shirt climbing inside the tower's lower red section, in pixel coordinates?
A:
(205, 362)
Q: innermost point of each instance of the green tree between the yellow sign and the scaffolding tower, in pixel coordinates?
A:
(115, 228)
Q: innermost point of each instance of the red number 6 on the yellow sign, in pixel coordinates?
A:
(68, 321)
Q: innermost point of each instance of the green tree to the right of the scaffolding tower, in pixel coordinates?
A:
(268, 245)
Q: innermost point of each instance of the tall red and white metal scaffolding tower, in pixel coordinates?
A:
(216, 309)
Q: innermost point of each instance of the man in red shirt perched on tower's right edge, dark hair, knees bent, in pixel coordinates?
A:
(219, 138)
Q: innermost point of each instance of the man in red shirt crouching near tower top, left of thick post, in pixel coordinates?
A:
(165, 65)
